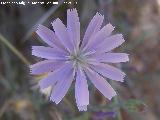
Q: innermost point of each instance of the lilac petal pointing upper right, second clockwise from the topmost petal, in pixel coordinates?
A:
(100, 36)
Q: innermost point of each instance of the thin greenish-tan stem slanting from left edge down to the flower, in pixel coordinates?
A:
(13, 49)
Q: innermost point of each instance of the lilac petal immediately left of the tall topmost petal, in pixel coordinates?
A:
(62, 34)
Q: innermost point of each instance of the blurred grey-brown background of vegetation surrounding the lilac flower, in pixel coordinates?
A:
(138, 97)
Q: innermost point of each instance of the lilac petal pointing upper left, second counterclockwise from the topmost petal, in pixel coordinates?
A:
(48, 36)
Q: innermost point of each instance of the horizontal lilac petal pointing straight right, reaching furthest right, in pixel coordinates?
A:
(111, 57)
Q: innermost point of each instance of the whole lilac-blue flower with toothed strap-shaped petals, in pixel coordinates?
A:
(69, 58)
